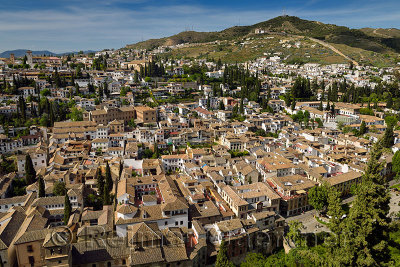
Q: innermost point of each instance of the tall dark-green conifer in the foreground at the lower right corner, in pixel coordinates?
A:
(366, 228)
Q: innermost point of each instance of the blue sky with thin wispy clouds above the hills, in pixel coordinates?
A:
(73, 25)
